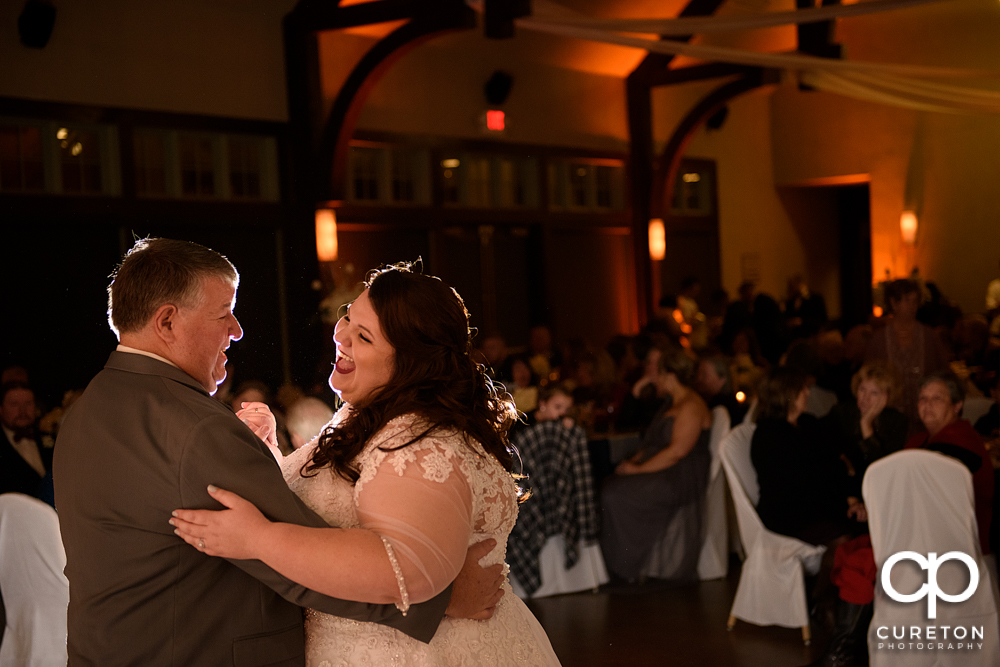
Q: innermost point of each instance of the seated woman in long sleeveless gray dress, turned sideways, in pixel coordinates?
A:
(665, 481)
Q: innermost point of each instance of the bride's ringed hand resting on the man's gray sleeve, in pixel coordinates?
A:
(231, 533)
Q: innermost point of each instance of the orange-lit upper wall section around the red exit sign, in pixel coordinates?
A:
(437, 89)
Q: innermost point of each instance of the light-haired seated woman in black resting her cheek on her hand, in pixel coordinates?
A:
(868, 429)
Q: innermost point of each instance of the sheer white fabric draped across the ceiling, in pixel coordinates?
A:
(919, 87)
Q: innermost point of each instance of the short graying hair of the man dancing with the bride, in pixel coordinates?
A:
(160, 271)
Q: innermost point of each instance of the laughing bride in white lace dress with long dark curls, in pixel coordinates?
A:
(414, 468)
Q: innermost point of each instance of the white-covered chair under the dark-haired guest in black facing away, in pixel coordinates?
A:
(772, 588)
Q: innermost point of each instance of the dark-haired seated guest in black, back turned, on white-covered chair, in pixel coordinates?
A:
(805, 491)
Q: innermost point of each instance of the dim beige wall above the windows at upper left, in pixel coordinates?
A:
(214, 57)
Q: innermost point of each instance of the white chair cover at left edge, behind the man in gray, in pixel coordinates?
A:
(35, 591)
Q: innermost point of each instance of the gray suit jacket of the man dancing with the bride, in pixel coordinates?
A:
(144, 439)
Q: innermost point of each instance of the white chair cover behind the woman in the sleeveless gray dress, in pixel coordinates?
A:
(713, 562)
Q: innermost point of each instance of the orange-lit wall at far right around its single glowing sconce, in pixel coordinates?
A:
(944, 166)
